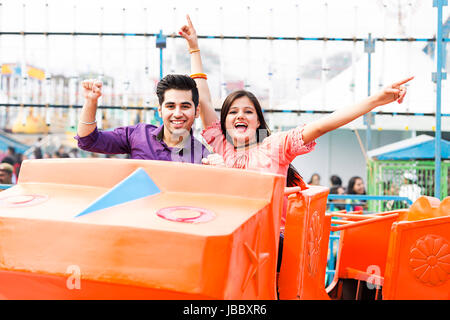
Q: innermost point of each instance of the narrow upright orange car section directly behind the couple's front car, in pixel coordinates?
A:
(305, 247)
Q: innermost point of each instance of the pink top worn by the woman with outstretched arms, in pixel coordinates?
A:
(273, 154)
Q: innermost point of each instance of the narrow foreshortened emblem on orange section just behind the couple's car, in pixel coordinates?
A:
(313, 243)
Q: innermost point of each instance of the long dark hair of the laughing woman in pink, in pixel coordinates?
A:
(293, 177)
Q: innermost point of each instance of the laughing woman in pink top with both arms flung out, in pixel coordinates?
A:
(242, 136)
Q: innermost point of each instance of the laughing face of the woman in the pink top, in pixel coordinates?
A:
(242, 121)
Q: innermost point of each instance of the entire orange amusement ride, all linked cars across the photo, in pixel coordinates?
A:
(70, 229)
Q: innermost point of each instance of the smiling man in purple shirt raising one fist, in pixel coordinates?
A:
(173, 141)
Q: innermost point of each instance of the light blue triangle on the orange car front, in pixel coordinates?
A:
(137, 185)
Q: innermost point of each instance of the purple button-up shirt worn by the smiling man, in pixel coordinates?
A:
(142, 141)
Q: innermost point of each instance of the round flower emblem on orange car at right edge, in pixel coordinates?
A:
(429, 260)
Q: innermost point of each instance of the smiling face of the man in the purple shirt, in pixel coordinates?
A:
(178, 111)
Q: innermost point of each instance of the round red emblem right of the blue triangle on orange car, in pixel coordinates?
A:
(186, 214)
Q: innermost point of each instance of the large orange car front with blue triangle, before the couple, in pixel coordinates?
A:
(135, 229)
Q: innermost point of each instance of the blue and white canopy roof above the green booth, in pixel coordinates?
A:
(420, 147)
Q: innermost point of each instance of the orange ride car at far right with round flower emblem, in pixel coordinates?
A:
(418, 263)
